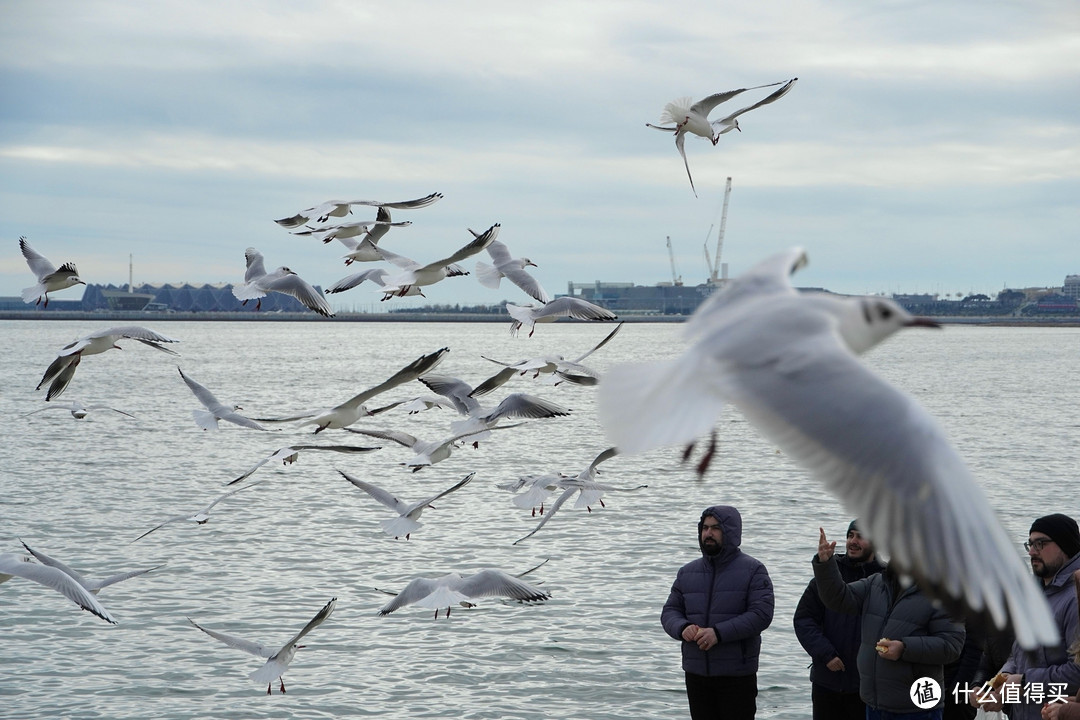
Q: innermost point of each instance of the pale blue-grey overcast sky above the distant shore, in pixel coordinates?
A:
(927, 147)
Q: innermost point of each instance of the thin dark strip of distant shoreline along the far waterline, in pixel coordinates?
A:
(443, 318)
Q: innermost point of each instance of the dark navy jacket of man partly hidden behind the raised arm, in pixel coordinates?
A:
(827, 634)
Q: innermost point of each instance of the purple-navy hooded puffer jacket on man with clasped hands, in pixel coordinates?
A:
(730, 592)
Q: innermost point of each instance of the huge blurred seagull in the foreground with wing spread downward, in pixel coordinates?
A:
(789, 362)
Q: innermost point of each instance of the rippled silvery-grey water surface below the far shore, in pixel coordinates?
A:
(272, 556)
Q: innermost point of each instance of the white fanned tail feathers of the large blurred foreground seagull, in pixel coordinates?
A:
(632, 398)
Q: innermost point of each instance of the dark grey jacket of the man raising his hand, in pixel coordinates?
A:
(931, 639)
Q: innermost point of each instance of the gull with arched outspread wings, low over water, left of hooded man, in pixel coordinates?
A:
(439, 593)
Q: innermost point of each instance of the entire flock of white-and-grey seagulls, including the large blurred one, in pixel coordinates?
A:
(788, 361)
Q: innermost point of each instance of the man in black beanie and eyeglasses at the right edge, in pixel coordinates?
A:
(1054, 548)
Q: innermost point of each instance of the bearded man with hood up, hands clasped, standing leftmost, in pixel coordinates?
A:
(719, 607)
